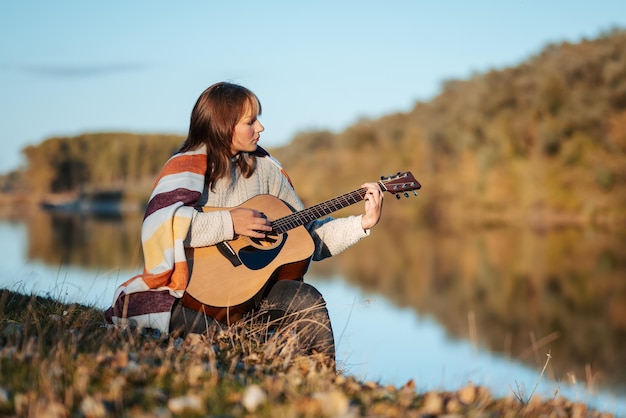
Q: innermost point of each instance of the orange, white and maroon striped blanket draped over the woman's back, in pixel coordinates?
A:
(146, 300)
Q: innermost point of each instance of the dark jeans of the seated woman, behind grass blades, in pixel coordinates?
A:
(286, 305)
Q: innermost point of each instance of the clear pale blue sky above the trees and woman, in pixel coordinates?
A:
(70, 67)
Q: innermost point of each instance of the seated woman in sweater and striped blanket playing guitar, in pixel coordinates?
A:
(220, 165)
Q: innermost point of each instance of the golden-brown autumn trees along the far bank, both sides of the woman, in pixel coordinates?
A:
(543, 142)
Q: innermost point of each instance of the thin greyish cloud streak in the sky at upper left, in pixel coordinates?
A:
(75, 71)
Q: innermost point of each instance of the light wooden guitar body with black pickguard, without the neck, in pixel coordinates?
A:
(230, 274)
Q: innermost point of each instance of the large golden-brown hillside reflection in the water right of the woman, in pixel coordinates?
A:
(512, 291)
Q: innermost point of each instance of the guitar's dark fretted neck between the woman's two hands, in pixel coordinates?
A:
(305, 216)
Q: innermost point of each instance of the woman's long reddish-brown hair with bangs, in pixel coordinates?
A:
(213, 120)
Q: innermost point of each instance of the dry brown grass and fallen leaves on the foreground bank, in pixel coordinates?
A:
(60, 360)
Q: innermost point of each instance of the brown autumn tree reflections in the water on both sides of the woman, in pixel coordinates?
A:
(509, 291)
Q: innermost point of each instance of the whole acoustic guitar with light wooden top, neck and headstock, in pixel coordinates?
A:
(231, 273)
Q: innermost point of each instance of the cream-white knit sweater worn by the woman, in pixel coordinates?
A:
(330, 235)
